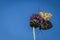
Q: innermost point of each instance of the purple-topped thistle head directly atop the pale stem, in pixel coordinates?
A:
(35, 19)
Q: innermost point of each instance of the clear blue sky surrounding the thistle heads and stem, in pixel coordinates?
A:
(14, 19)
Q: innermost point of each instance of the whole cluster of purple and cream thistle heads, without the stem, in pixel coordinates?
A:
(41, 20)
